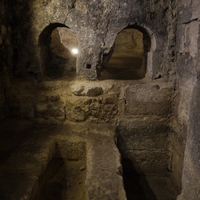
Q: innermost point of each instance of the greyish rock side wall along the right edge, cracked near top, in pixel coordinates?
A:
(188, 43)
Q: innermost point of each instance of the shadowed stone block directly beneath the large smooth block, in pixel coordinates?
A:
(143, 134)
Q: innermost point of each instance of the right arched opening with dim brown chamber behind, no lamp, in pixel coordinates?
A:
(127, 59)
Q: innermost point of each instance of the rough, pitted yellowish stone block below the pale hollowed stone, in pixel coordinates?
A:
(102, 109)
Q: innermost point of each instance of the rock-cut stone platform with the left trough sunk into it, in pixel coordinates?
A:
(29, 176)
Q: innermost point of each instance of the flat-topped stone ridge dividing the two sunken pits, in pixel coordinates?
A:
(105, 170)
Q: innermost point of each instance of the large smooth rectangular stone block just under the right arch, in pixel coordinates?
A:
(148, 99)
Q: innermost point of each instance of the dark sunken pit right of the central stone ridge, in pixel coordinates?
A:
(142, 176)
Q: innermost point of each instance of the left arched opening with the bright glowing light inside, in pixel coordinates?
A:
(58, 51)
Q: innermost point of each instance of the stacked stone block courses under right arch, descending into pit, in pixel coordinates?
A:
(143, 127)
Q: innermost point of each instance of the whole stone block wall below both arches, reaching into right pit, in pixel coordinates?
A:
(140, 109)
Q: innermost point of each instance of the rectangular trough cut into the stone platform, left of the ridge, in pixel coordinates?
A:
(64, 177)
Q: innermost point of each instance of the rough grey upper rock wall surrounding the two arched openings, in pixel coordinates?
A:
(96, 24)
